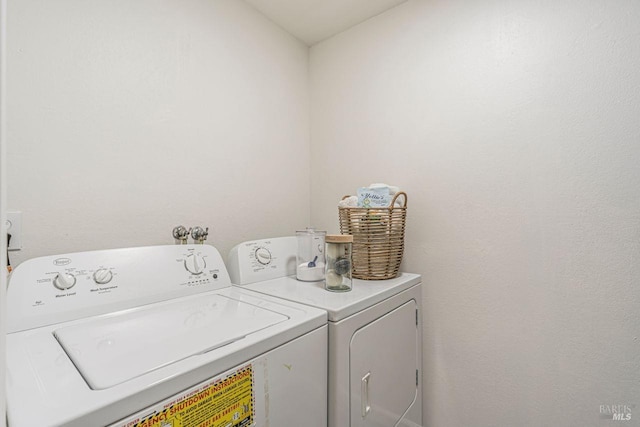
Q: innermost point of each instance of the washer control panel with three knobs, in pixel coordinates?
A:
(59, 288)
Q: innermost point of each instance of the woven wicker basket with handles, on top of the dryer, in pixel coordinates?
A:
(378, 238)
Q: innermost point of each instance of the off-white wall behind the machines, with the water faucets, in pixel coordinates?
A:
(127, 118)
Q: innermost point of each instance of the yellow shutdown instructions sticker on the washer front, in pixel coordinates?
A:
(225, 402)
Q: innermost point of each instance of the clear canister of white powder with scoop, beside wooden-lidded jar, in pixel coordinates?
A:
(310, 257)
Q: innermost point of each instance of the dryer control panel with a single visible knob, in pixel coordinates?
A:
(260, 260)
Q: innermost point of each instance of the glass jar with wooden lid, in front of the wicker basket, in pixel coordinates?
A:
(337, 274)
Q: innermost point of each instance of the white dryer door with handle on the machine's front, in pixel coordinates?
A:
(383, 368)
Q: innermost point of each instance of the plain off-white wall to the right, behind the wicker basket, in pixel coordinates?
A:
(513, 126)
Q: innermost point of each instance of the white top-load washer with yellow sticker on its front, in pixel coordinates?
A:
(157, 336)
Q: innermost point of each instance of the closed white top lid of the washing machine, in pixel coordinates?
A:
(115, 348)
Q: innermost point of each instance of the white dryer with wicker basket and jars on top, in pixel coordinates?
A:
(375, 334)
